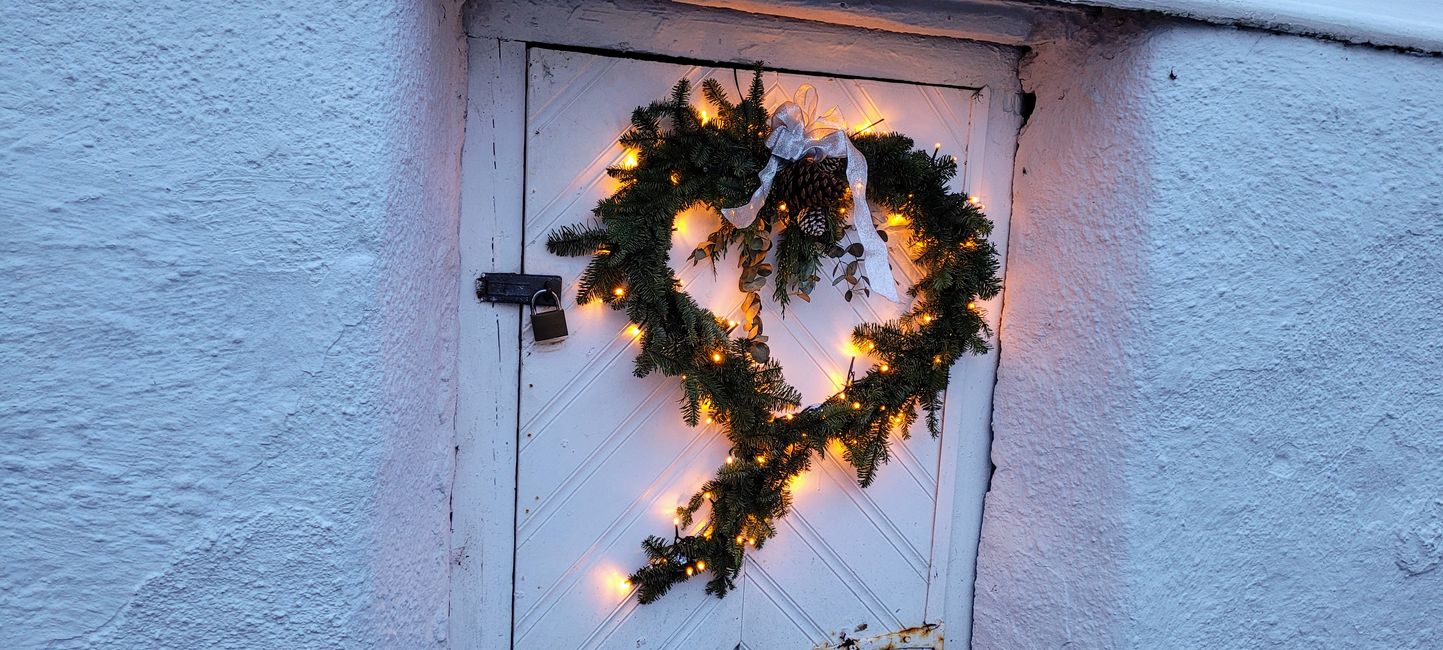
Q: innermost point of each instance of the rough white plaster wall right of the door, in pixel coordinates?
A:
(1220, 408)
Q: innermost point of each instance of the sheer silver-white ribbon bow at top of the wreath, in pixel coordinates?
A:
(797, 132)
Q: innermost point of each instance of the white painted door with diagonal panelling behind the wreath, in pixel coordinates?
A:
(604, 459)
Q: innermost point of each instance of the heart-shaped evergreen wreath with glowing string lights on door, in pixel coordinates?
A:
(683, 158)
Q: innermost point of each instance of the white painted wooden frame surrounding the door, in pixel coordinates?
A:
(493, 167)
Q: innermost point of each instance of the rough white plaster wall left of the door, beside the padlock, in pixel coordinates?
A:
(227, 323)
